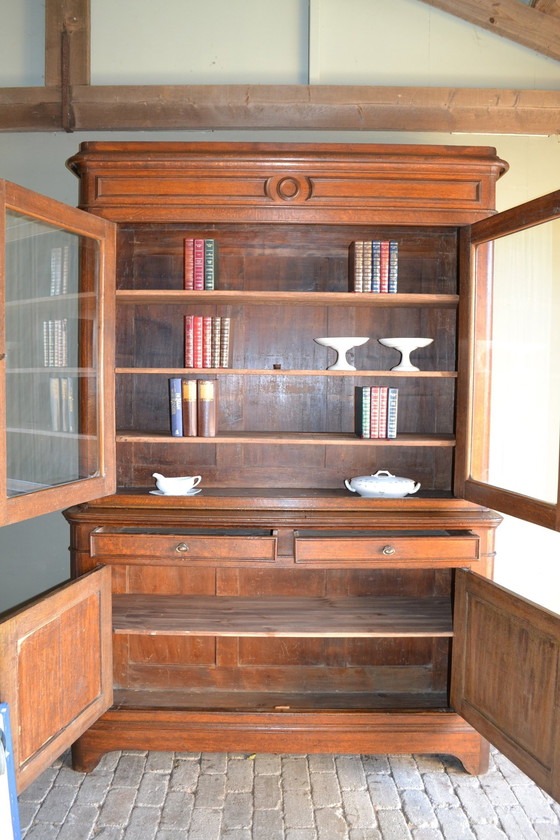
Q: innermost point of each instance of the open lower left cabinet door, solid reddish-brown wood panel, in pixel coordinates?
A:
(56, 672)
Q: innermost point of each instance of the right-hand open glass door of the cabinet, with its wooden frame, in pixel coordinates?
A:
(509, 423)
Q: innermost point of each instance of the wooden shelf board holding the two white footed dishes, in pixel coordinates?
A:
(201, 372)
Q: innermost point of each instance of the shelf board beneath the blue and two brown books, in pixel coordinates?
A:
(288, 438)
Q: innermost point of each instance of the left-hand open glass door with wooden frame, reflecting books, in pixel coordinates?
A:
(57, 280)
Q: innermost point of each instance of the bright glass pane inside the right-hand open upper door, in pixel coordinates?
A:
(517, 368)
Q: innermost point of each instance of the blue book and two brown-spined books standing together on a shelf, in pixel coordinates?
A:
(193, 407)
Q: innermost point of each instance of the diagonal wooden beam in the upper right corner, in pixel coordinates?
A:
(525, 25)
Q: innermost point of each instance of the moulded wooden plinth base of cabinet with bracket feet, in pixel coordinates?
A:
(283, 732)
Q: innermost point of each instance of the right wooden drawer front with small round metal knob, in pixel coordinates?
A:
(447, 550)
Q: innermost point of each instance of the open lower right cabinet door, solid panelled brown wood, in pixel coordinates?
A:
(505, 678)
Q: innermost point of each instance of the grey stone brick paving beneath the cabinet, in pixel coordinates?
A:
(191, 796)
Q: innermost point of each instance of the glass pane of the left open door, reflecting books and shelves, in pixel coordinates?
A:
(51, 375)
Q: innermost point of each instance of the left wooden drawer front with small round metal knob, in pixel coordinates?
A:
(169, 548)
